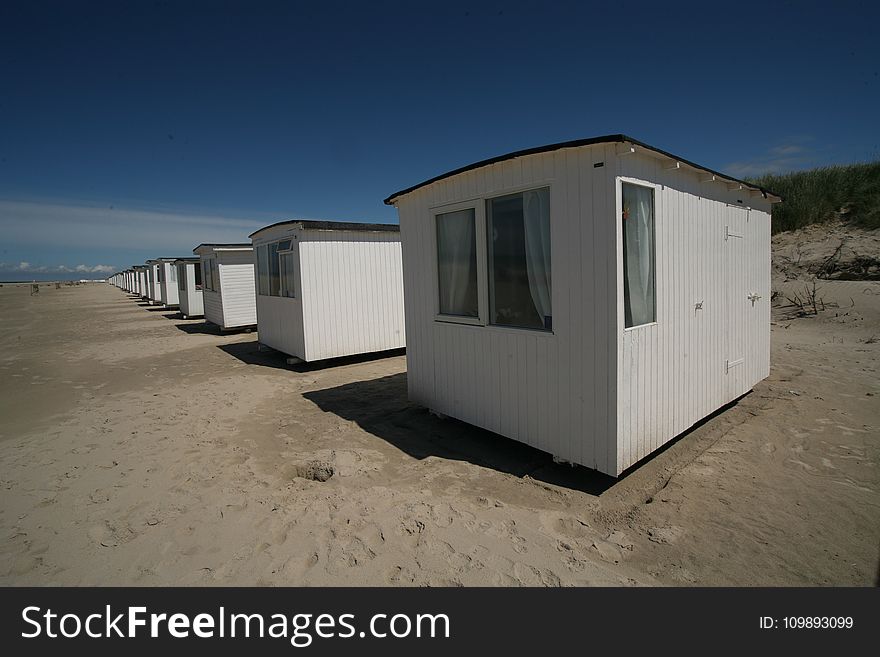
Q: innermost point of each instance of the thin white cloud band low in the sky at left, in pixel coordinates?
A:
(167, 232)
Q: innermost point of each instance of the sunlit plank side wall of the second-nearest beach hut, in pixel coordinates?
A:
(352, 292)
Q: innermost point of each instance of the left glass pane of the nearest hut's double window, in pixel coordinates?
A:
(457, 263)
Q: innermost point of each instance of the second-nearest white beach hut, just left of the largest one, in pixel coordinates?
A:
(327, 289)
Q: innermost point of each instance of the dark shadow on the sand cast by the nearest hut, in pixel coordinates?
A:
(380, 407)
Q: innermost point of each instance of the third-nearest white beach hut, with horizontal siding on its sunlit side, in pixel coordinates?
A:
(228, 289)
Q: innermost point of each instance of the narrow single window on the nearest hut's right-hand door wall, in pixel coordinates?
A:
(639, 305)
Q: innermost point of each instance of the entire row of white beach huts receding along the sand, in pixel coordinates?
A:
(593, 298)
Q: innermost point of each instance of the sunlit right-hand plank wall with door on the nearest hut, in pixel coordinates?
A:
(671, 374)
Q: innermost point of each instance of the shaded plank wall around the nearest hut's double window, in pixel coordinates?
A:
(555, 391)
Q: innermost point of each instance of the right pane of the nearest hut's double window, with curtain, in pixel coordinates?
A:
(520, 274)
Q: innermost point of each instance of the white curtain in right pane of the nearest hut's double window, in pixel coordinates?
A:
(536, 222)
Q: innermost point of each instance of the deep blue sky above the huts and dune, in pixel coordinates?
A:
(203, 121)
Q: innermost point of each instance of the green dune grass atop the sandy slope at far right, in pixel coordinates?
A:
(850, 192)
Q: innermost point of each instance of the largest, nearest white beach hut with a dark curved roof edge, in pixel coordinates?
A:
(593, 298)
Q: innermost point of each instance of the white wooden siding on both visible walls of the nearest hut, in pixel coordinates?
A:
(592, 392)
